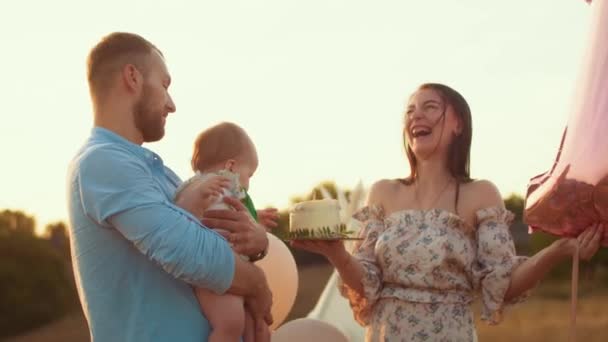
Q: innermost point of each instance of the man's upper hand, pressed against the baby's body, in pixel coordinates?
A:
(246, 236)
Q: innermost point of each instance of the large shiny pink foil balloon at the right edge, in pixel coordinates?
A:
(574, 193)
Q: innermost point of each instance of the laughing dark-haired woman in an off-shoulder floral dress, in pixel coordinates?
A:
(433, 240)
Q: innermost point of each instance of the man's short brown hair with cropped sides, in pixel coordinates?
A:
(111, 54)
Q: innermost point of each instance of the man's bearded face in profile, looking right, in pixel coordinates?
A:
(154, 103)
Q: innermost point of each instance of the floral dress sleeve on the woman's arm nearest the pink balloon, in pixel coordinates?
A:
(496, 259)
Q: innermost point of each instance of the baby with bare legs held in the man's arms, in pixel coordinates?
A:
(224, 159)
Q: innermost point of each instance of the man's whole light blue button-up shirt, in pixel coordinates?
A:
(134, 252)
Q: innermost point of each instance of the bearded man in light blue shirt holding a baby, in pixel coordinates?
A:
(135, 253)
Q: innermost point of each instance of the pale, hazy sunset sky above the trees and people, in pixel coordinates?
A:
(320, 85)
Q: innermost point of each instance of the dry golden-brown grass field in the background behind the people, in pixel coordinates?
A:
(544, 317)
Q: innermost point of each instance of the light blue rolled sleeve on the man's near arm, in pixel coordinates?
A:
(118, 191)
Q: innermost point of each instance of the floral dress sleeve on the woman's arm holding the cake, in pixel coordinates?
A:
(372, 218)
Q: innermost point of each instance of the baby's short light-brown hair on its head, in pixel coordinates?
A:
(218, 144)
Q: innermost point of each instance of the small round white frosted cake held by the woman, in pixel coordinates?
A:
(315, 215)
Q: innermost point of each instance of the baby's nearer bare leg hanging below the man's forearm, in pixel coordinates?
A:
(226, 315)
